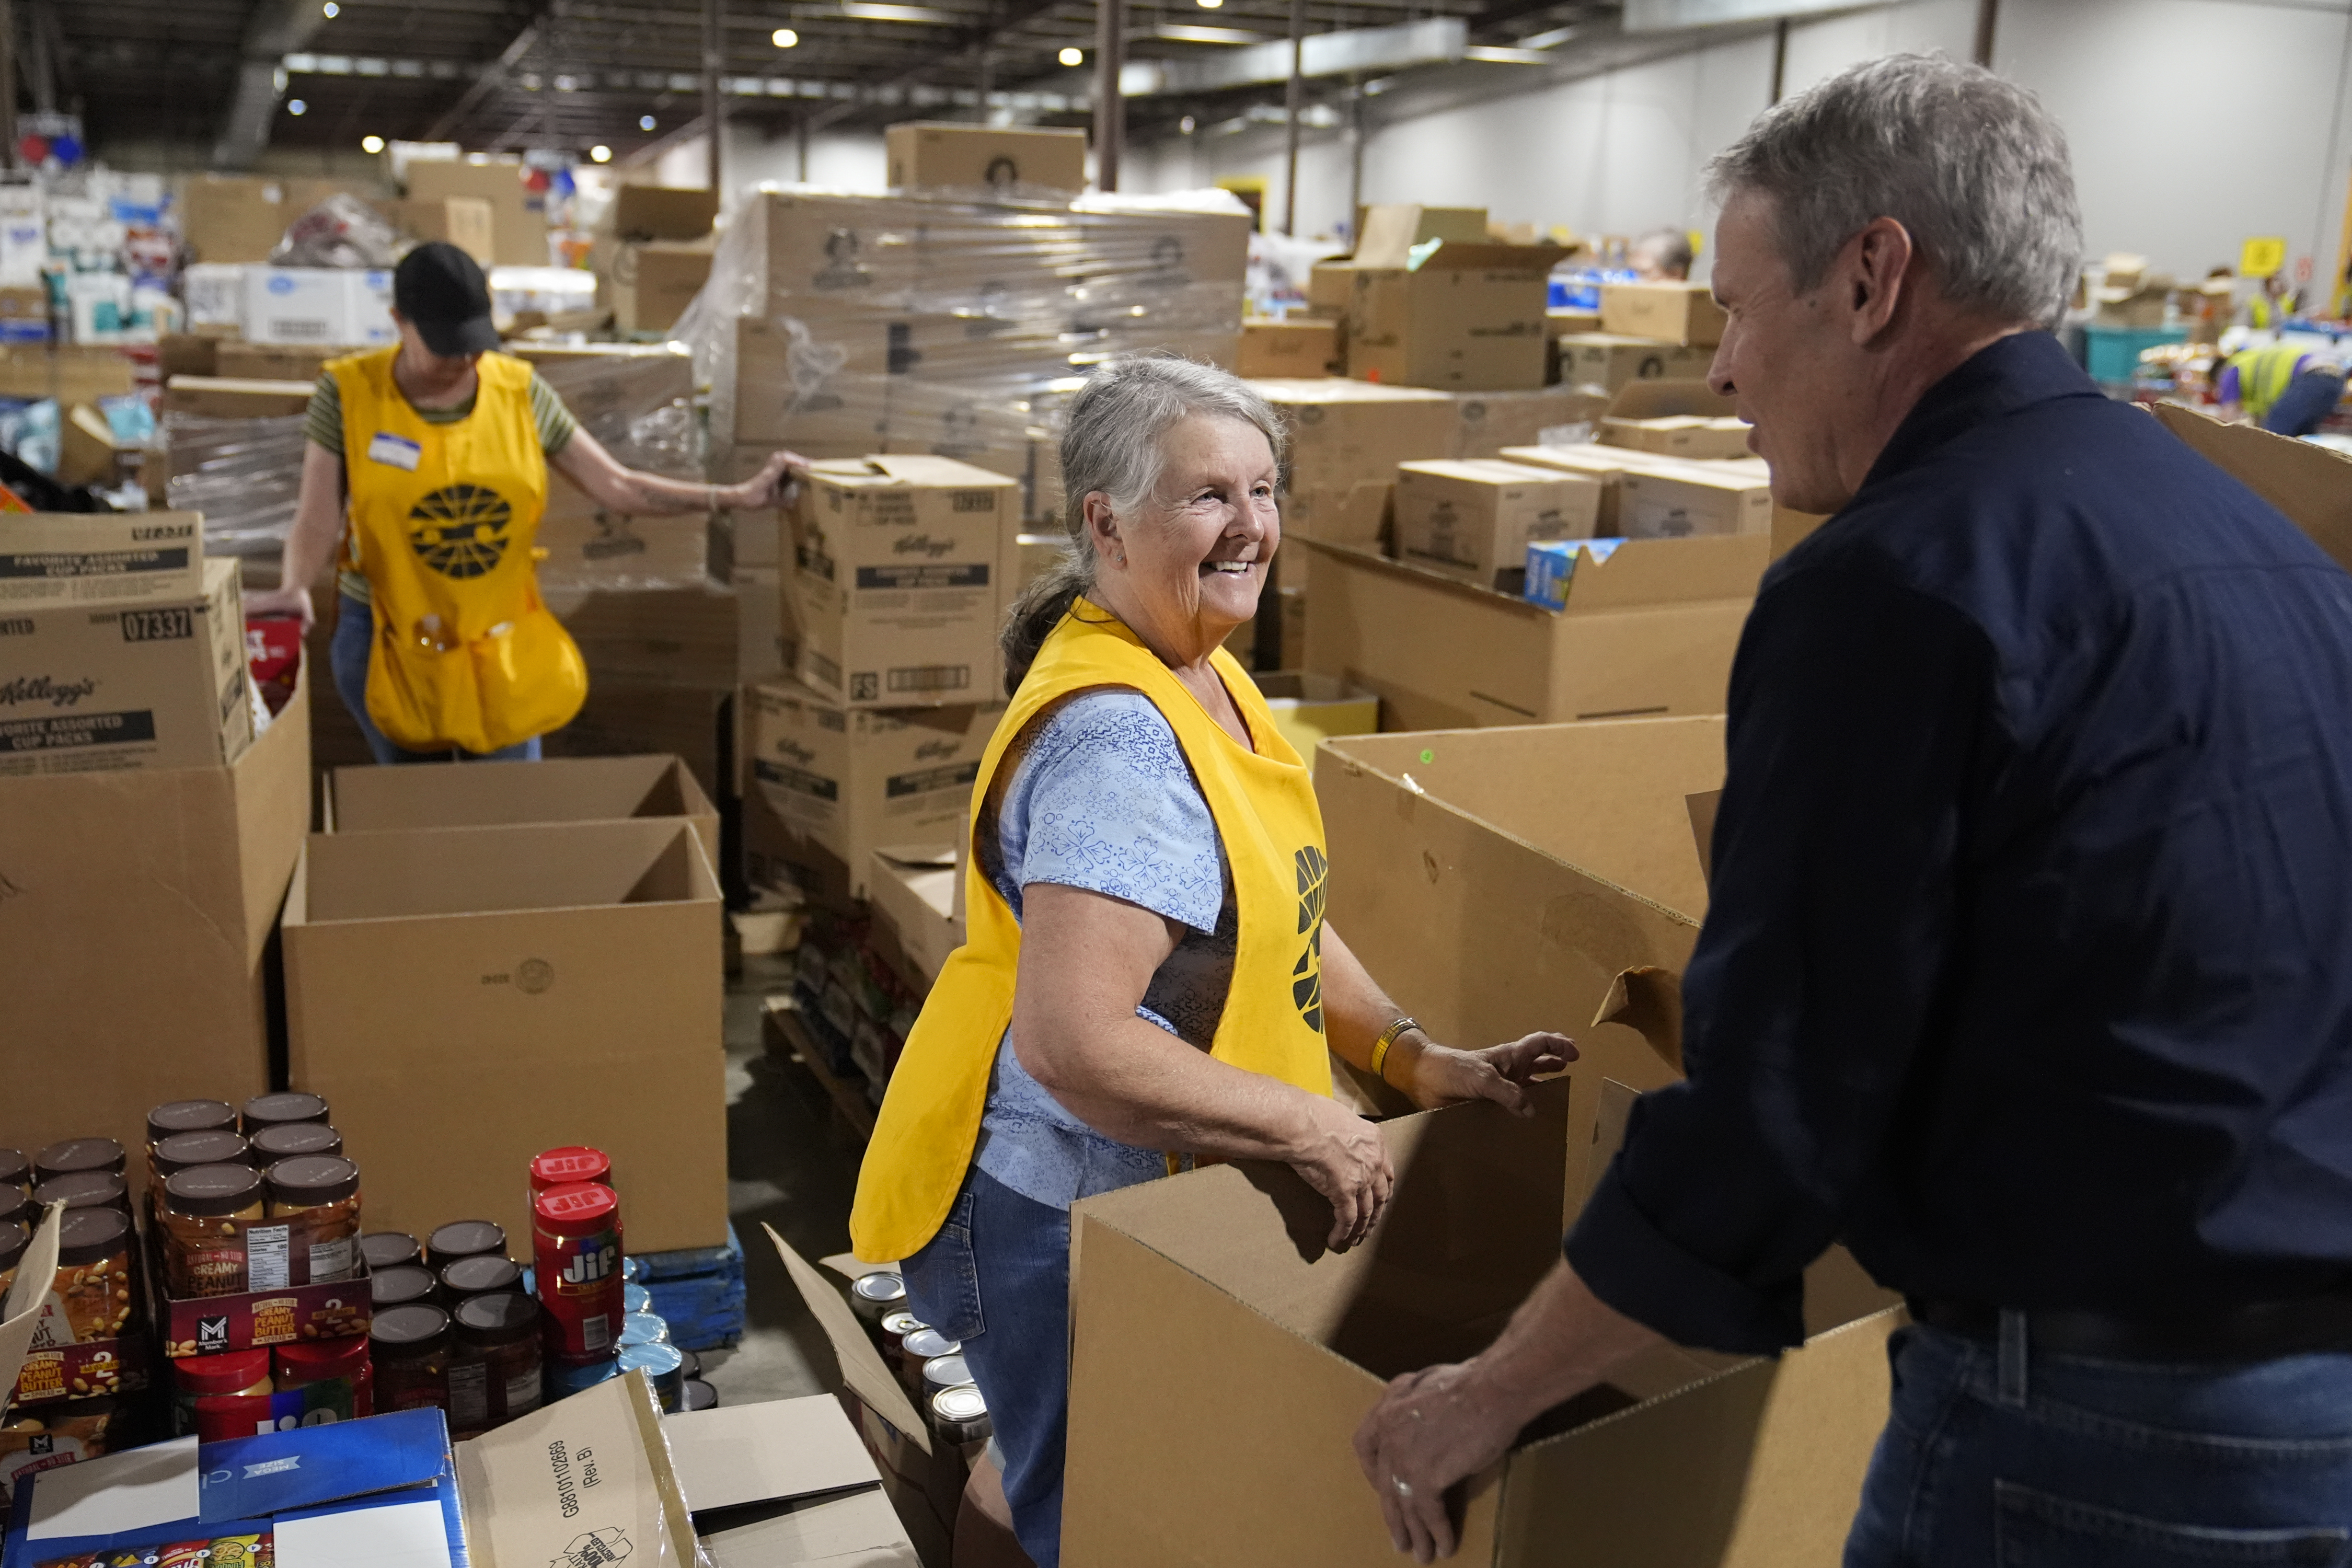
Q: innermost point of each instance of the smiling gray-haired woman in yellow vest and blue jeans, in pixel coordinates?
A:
(1149, 974)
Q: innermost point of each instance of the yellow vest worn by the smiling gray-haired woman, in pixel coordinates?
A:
(1267, 815)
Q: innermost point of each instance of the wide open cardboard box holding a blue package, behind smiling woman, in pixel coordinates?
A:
(1652, 634)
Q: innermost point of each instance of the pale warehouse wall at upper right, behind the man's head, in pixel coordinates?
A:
(2174, 159)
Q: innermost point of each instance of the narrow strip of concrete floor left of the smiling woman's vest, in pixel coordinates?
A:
(794, 1165)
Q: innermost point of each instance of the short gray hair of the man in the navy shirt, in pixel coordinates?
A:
(1970, 163)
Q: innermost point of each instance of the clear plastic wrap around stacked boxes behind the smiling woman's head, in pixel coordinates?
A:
(843, 326)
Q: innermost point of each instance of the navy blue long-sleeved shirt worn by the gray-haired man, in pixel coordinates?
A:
(2029, 963)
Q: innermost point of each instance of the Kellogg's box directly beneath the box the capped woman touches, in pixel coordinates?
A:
(848, 782)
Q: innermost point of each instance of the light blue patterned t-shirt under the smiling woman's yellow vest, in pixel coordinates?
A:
(1102, 798)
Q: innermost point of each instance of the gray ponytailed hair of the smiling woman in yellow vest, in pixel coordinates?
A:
(1114, 445)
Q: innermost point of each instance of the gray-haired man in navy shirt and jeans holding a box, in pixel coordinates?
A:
(2024, 972)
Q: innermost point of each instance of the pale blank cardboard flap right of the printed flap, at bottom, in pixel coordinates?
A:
(768, 1452)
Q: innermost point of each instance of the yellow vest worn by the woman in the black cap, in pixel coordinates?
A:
(446, 521)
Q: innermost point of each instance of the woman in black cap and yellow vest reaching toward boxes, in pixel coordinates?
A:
(441, 450)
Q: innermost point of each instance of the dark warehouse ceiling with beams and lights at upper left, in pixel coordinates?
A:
(566, 74)
